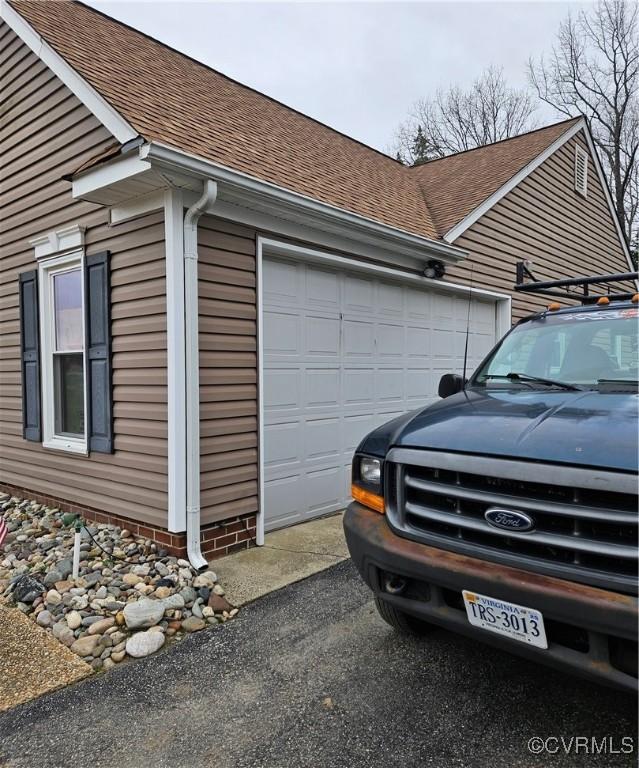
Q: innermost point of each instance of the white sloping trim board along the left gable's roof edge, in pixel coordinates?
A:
(95, 103)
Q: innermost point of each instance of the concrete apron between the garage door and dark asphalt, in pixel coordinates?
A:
(288, 555)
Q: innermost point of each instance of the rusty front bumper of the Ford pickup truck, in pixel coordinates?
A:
(591, 631)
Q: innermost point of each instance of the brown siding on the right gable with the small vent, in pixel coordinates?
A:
(546, 220)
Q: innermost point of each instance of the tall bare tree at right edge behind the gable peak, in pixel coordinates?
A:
(594, 70)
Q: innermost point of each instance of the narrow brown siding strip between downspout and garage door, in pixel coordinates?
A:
(228, 370)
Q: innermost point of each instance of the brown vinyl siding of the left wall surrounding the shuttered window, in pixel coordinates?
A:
(45, 133)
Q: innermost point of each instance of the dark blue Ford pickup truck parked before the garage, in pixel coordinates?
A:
(507, 510)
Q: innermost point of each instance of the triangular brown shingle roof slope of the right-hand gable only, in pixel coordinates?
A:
(455, 185)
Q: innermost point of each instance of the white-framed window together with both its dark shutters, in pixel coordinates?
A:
(66, 353)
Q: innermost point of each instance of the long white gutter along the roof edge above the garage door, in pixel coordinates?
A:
(357, 227)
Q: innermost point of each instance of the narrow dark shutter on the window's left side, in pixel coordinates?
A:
(30, 353)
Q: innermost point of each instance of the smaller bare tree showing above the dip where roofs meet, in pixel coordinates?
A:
(456, 120)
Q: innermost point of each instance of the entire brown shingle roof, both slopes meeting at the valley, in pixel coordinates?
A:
(168, 97)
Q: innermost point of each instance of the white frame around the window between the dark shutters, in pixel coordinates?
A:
(47, 269)
